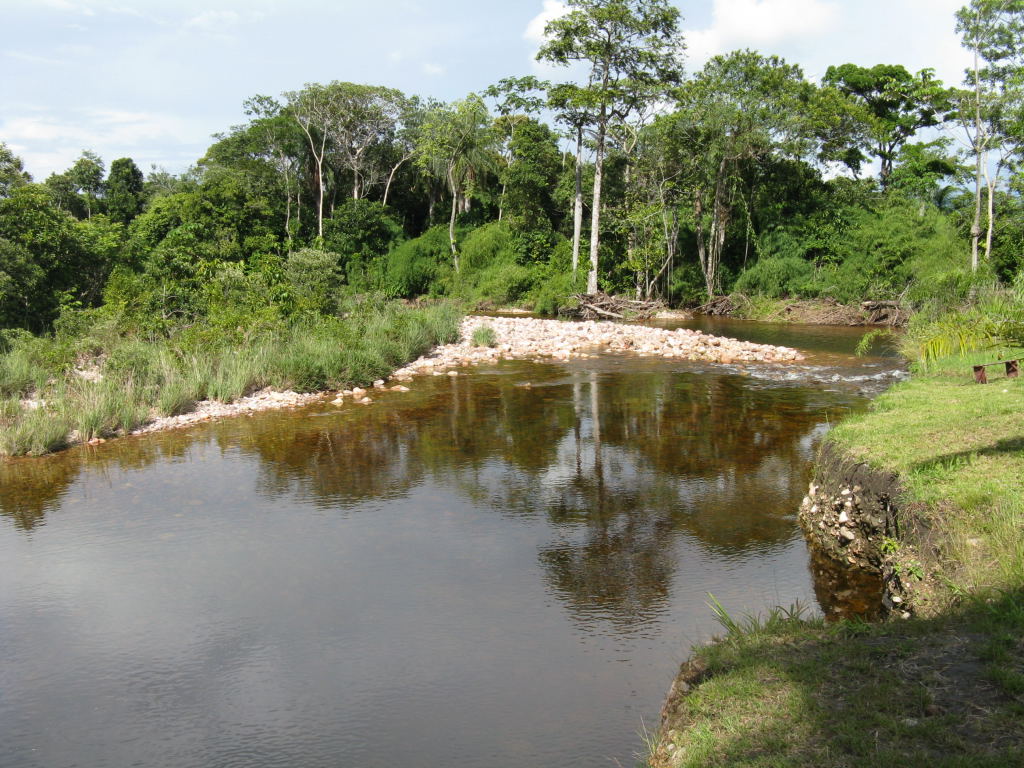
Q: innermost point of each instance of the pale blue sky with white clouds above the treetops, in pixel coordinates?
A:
(154, 80)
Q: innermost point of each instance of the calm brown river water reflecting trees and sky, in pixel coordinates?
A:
(503, 569)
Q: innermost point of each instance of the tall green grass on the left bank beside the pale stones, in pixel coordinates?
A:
(142, 378)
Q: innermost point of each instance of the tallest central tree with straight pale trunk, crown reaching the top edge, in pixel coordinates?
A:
(633, 51)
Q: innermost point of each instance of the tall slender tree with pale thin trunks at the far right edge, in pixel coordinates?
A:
(994, 32)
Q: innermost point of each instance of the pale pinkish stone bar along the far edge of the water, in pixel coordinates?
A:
(516, 338)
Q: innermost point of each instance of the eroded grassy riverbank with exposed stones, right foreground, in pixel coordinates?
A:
(938, 510)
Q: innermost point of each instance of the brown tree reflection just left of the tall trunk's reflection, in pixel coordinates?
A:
(449, 430)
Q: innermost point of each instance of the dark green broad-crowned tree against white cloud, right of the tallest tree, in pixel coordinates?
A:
(895, 106)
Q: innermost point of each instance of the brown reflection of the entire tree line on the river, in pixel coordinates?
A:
(621, 463)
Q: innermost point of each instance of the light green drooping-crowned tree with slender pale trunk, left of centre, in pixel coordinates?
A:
(456, 145)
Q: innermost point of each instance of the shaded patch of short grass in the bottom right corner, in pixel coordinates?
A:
(796, 693)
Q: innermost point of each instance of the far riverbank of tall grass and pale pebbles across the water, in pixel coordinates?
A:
(40, 422)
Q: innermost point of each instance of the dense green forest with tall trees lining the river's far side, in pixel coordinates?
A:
(637, 178)
